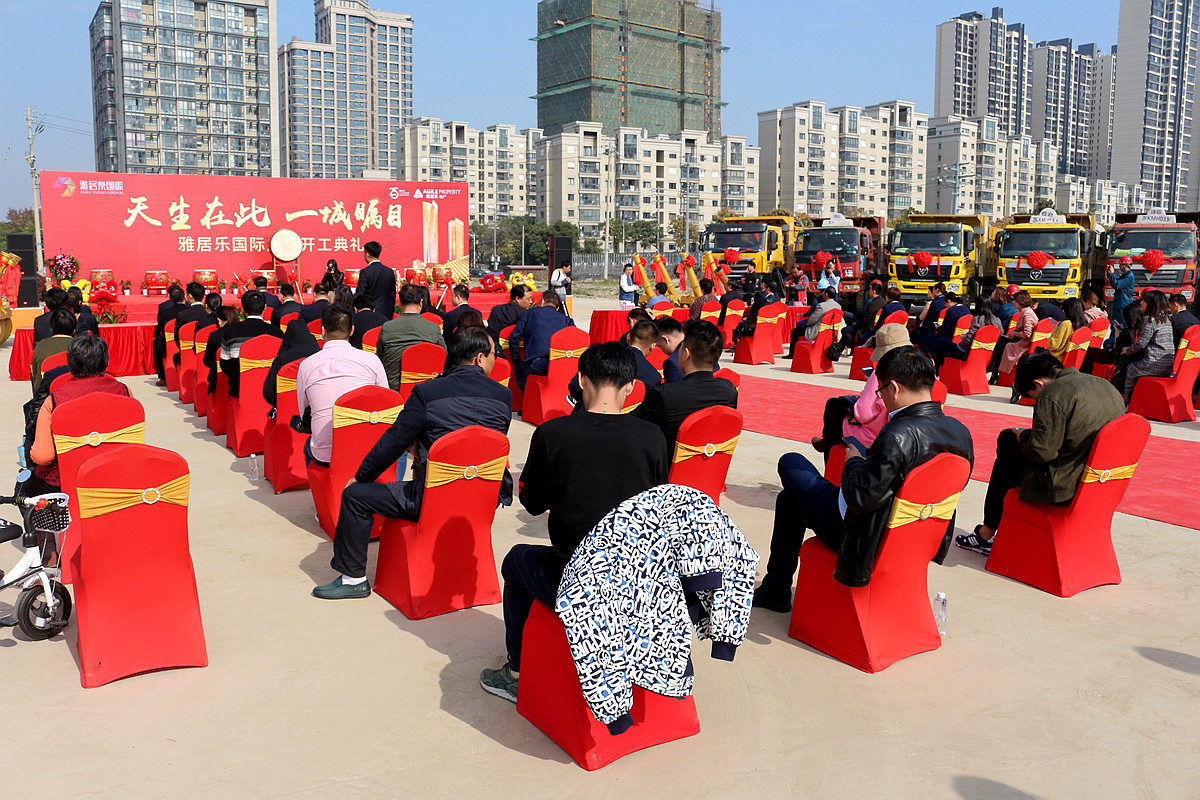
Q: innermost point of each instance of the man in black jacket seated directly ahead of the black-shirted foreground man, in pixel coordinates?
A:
(669, 405)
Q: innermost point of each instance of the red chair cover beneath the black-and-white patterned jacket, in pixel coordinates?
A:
(551, 700)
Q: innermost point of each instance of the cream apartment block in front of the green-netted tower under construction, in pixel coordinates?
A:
(587, 178)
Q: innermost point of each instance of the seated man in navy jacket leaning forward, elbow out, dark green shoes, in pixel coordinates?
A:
(464, 395)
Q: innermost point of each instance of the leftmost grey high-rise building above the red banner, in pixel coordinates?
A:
(185, 87)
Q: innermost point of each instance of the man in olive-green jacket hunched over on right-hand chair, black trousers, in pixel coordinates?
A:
(1048, 460)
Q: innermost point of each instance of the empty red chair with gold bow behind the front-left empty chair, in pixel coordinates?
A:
(86, 428)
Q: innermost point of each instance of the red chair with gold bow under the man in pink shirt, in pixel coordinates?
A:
(361, 418)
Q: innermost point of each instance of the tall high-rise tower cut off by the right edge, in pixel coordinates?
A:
(1155, 103)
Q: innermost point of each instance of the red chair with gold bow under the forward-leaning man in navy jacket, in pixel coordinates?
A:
(445, 561)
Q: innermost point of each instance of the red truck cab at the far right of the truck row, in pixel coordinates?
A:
(1173, 234)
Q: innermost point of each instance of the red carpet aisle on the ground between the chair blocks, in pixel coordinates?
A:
(793, 411)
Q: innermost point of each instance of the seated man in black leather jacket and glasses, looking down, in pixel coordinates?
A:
(851, 520)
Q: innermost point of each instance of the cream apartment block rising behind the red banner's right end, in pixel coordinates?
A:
(496, 164)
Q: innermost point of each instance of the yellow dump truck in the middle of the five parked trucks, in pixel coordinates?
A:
(957, 255)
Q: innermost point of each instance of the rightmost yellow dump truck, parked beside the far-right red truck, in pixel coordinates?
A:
(1066, 242)
